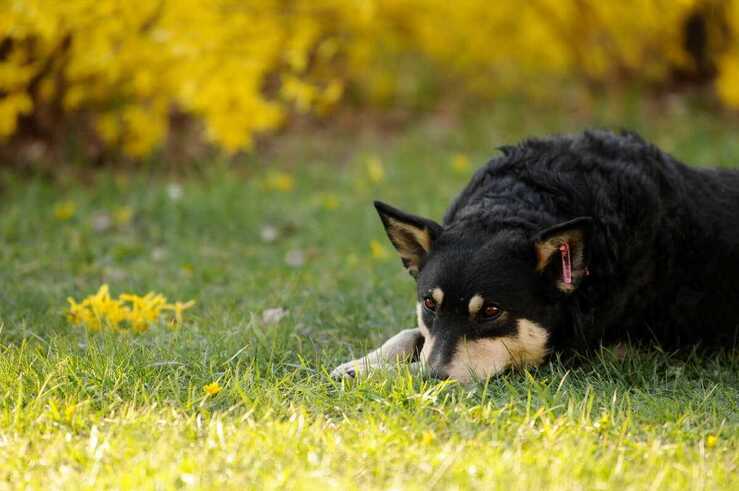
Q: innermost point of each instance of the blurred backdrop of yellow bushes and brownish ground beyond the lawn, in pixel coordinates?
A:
(111, 82)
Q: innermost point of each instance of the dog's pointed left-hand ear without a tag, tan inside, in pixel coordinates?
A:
(411, 235)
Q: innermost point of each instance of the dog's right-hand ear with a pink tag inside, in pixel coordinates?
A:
(561, 252)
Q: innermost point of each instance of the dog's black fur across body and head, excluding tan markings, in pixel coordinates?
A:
(660, 251)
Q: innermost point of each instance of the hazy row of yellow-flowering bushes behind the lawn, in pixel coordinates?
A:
(241, 67)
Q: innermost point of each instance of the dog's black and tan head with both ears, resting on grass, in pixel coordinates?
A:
(487, 300)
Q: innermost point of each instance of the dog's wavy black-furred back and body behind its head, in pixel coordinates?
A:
(664, 249)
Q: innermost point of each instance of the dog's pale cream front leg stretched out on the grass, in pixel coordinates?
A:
(403, 347)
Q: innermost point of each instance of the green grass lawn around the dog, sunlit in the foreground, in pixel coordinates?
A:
(83, 410)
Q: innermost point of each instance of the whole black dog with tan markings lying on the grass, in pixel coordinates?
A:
(568, 243)
